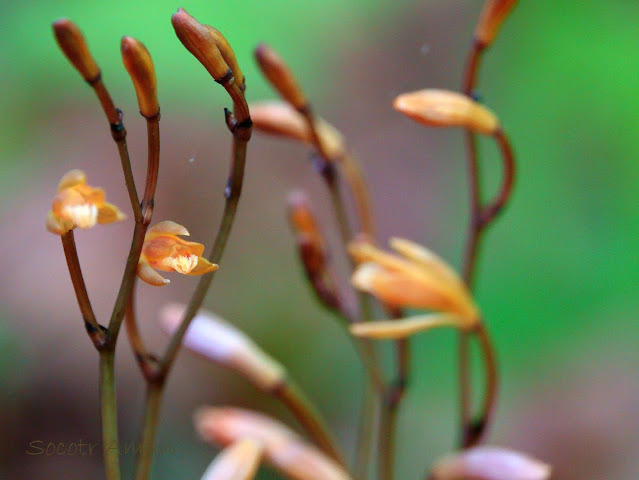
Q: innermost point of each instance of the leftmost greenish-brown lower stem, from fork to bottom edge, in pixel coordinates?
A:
(110, 445)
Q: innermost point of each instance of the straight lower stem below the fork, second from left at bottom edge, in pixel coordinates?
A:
(152, 406)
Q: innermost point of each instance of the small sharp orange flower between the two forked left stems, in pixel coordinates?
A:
(163, 250)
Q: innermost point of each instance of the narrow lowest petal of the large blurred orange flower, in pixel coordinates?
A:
(405, 327)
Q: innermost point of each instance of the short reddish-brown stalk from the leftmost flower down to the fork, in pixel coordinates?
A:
(95, 331)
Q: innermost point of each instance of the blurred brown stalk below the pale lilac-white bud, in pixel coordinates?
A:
(308, 416)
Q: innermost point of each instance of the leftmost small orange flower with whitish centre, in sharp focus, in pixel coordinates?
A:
(79, 205)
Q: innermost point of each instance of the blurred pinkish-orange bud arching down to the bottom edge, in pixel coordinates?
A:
(283, 449)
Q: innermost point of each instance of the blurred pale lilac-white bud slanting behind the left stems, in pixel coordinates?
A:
(219, 341)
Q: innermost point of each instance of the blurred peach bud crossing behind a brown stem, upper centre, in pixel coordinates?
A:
(279, 118)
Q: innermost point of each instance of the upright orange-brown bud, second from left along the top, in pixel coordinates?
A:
(138, 63)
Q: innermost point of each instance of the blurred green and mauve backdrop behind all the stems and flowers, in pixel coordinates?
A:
(557, 277)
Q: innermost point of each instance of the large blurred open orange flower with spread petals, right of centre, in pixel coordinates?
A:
(414, 277)
